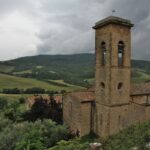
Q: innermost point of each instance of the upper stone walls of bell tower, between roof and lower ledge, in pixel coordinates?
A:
(109, 76)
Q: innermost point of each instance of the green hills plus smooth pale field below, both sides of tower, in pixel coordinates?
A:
(73, 69)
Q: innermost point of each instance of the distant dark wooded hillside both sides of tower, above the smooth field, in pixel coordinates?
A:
(77, 69)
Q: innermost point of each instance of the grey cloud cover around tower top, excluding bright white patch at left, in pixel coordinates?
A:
(65, 25)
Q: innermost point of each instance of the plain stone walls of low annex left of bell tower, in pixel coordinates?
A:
(77, 114)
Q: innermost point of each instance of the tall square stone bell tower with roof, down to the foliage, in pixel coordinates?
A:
(113, 69)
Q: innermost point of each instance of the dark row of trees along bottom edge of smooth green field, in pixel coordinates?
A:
(34, 90)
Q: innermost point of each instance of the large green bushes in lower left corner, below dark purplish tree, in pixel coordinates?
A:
(15, 134)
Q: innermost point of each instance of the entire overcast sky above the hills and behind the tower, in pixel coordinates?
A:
(34, 27)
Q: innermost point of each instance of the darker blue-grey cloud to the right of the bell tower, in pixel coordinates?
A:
(138, 11)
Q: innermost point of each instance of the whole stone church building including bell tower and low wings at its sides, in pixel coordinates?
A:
(114, 103)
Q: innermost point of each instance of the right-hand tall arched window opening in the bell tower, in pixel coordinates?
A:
(120, 53)
